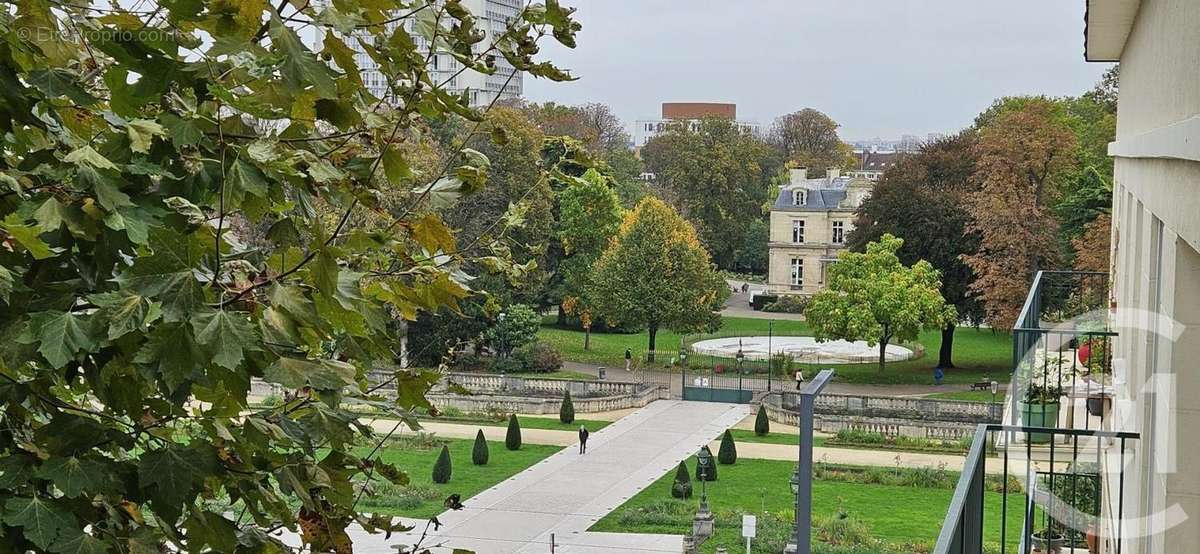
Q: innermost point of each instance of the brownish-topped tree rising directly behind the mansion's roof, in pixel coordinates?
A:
(809, 138)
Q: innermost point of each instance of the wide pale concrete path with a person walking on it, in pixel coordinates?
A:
(567, 493)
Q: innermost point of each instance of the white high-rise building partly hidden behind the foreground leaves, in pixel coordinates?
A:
(493, 17)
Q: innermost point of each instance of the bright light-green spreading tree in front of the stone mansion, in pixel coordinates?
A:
(873, 297)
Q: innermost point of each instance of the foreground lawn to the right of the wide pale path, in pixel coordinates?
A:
(893, 514)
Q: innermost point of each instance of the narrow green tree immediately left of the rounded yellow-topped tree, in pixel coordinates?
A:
(590, 216)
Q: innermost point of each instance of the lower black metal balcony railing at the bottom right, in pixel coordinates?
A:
(1055, 499)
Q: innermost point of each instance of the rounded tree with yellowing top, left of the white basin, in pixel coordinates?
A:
(657, 275)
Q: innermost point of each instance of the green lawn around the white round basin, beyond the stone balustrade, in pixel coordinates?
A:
(979, 353)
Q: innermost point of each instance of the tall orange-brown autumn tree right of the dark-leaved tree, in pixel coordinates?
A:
(1021, 154)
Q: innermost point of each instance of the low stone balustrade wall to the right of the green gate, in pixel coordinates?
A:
(947, 420)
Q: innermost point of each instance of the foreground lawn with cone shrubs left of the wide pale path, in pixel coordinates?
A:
(423, 498)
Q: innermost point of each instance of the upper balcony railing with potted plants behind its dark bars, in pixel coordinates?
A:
(1063, 340)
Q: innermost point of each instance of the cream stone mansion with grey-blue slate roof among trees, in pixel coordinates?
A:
(809, 225)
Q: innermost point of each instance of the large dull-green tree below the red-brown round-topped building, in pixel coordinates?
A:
(718, 177)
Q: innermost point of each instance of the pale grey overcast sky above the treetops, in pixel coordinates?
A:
(879, 68)
